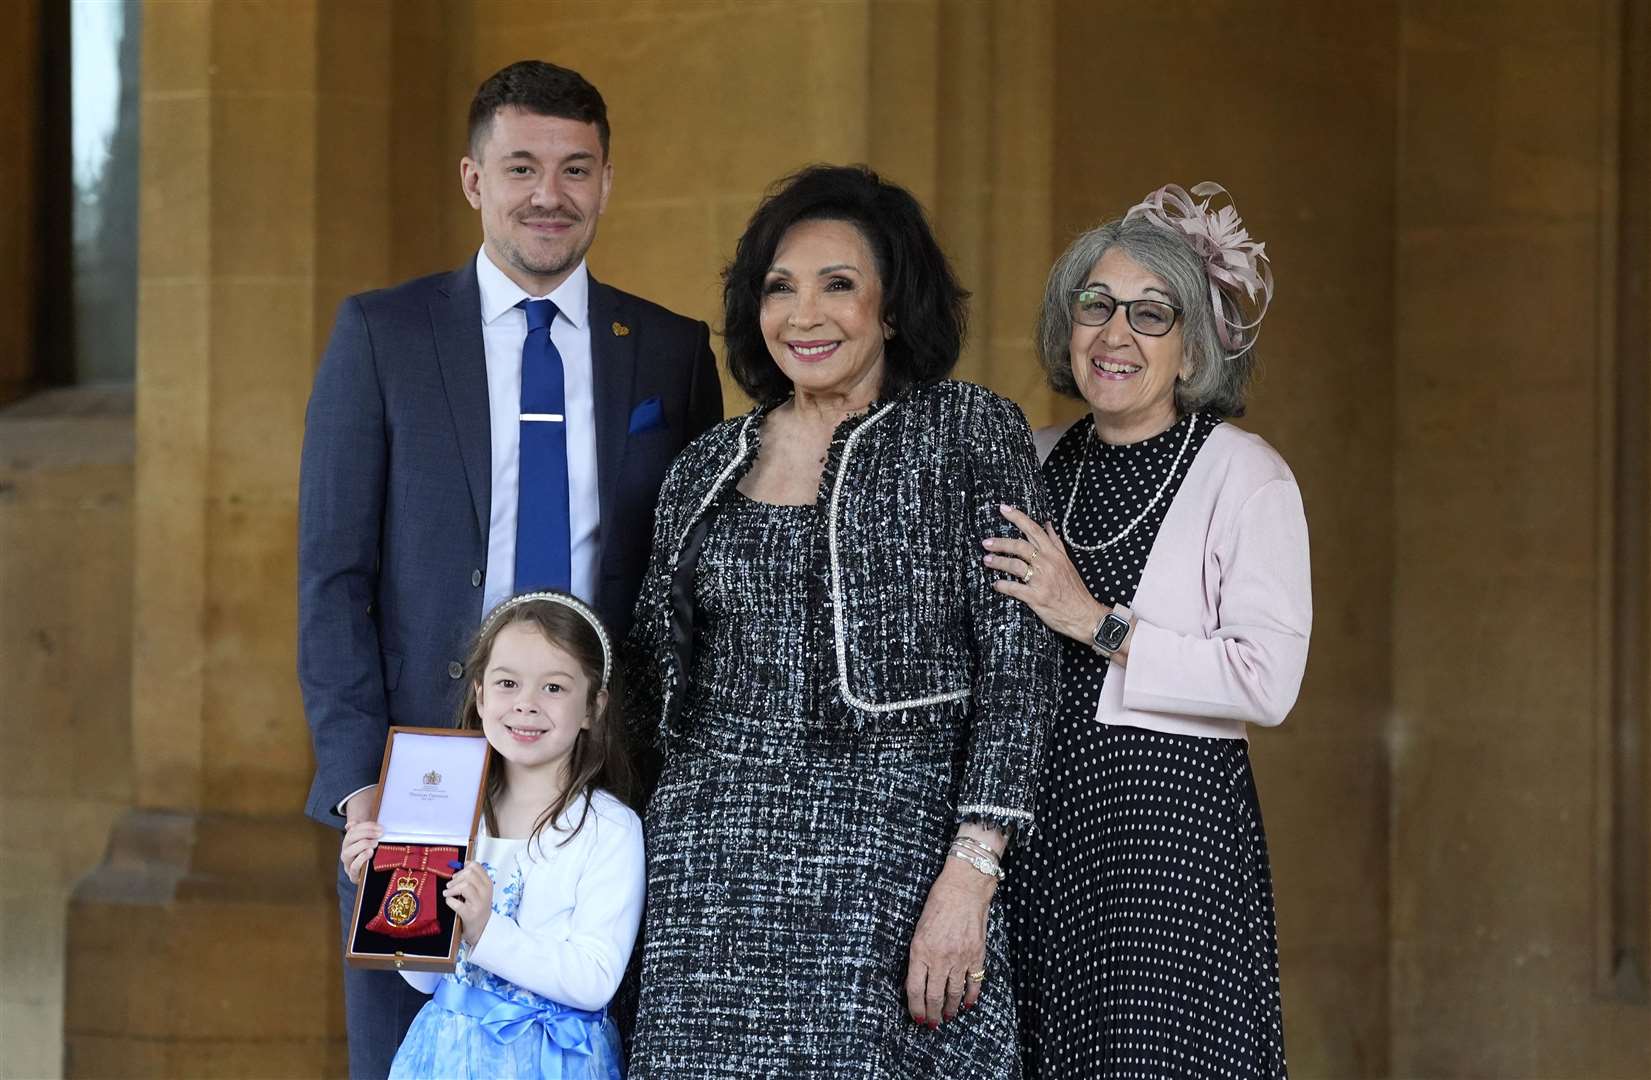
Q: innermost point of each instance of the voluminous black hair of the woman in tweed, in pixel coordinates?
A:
(922, 298)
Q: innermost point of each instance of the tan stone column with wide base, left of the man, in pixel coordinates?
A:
(207, 942)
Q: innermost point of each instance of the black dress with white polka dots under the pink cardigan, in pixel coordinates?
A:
(1142, 909)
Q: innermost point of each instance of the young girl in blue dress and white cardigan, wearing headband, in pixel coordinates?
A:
(552, 901)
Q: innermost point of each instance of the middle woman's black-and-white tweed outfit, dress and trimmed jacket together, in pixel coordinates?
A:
(835, 691)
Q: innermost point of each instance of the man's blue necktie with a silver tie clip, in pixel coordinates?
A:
(544, 551)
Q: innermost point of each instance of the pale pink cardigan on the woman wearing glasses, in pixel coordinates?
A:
(1226, 600)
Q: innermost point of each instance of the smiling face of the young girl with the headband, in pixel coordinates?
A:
(534, 701)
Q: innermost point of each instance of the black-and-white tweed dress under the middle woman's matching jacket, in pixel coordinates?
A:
(790, 860)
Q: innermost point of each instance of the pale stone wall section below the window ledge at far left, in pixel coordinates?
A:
(65, 676)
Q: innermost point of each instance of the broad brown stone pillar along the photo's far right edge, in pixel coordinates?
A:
(1521, 192)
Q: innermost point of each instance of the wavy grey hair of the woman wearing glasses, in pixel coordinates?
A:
(1219, 381)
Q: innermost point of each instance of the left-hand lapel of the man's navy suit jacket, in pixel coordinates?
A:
(457, 321)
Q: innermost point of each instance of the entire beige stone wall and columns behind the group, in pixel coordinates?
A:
(1455, 202)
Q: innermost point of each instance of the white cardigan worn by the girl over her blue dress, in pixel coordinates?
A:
(580, 911)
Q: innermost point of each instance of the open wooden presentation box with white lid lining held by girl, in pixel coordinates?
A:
(430, 795)
